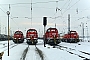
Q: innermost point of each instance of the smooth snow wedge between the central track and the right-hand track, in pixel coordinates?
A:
(56, 54)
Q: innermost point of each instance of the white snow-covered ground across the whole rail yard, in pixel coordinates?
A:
(50, 53)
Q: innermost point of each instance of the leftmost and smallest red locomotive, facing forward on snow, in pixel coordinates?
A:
(18, 37)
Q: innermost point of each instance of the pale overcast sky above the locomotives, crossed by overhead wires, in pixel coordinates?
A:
(20, 15)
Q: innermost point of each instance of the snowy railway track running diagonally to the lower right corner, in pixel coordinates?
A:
(83, 55)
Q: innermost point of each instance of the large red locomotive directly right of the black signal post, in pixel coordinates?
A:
(52, 36)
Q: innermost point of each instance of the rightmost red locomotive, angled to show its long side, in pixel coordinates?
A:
(72, 36)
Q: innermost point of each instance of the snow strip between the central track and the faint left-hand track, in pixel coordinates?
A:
(15, 53)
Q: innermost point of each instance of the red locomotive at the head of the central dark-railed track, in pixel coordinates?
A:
(31, 36)
